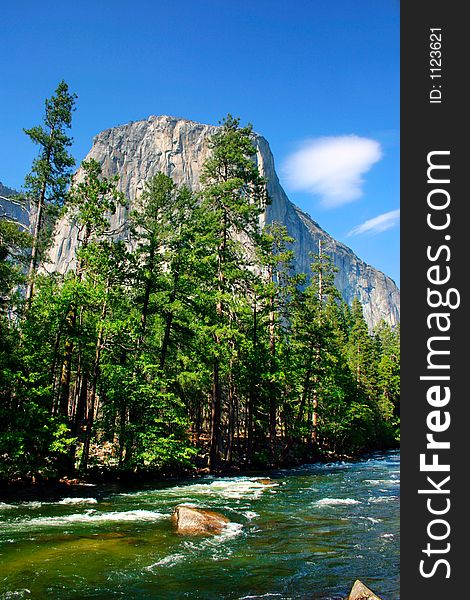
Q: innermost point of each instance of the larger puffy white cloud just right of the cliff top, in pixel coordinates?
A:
(332, 167)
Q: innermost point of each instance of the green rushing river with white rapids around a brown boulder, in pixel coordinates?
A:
(308, 533)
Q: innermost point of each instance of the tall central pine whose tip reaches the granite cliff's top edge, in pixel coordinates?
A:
(235, 194)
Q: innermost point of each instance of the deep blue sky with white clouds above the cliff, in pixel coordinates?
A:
(319, 79)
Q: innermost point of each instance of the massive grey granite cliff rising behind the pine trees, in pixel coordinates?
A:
(178, 148)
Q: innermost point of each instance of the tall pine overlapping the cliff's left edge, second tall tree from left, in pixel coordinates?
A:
(90, 203)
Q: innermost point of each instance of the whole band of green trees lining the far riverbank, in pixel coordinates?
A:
(189, 344)
